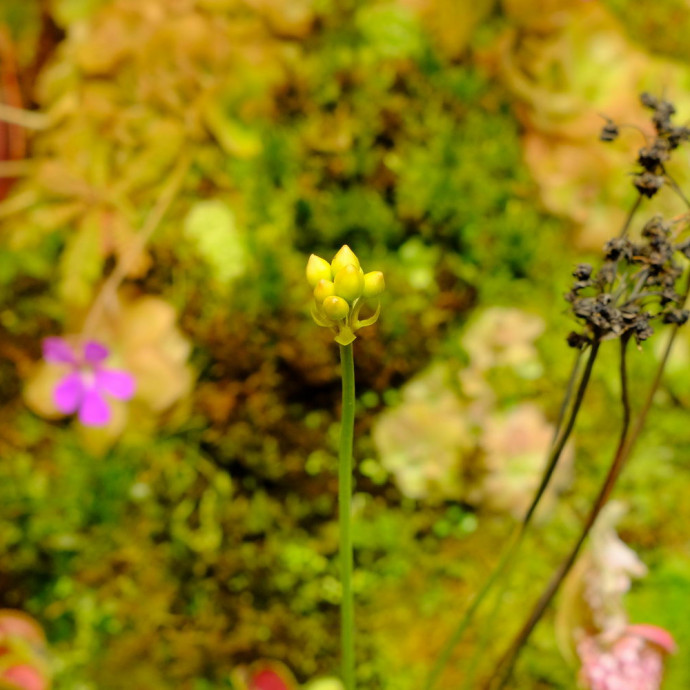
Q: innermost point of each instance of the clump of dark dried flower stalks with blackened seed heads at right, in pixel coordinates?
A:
(634, 288)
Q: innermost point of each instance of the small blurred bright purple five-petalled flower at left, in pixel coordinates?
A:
(85, 386)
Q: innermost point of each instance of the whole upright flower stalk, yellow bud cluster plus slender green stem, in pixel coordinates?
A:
(341, 289)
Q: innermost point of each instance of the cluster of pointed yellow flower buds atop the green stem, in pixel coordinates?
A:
(340, 291)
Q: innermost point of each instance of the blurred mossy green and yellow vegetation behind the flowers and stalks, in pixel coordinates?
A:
(453, 145)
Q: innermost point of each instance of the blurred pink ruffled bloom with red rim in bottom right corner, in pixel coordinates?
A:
(632, 661)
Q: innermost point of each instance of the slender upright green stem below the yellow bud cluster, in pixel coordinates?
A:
(345, 515)
